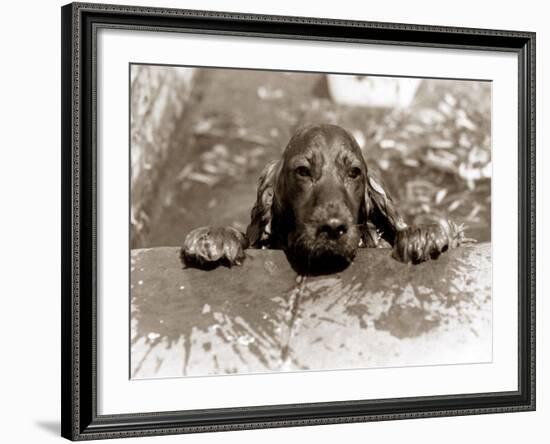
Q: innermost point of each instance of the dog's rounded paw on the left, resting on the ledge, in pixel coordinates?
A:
(208, 247)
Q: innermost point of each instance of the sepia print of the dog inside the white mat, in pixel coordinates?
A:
(286, 221)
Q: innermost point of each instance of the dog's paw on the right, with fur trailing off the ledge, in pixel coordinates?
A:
(419, 243)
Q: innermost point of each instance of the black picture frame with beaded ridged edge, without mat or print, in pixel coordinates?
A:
(79, 386)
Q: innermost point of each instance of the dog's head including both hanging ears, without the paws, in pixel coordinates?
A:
(317, 201)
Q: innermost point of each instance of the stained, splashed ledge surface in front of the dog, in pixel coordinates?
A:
(262, 317)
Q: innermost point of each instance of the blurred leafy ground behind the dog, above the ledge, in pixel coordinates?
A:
(201, 136)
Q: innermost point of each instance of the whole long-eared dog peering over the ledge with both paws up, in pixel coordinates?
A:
(320, 203)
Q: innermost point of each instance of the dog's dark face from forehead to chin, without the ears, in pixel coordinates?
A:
(319, 196)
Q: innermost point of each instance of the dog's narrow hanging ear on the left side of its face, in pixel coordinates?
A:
(258, 232)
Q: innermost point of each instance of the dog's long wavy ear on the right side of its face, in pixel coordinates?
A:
(382, 219)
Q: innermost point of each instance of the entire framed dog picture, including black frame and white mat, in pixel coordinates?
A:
(275, 221)
